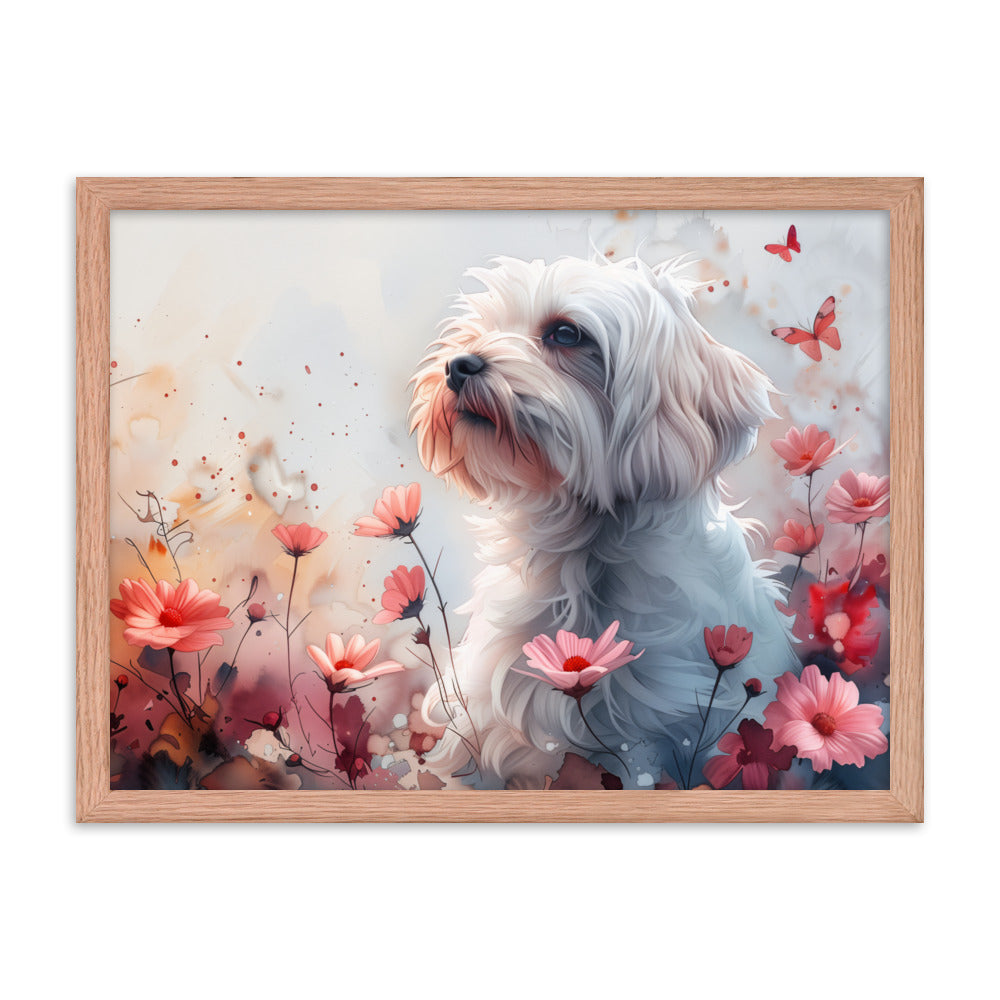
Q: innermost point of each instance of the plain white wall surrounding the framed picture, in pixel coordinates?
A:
(512, 88)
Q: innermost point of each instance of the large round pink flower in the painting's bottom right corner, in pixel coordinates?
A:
(823, 720)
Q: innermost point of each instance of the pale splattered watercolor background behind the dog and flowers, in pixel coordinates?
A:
(259, 374)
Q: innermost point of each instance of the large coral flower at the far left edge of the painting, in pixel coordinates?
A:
(185, 619)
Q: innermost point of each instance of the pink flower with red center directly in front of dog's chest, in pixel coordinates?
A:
(574, 664)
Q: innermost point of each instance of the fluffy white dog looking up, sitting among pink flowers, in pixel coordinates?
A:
(584, 405)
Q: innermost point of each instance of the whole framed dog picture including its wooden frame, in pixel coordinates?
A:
(500, 500)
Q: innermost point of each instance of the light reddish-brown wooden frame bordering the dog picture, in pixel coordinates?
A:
(97, 198)
